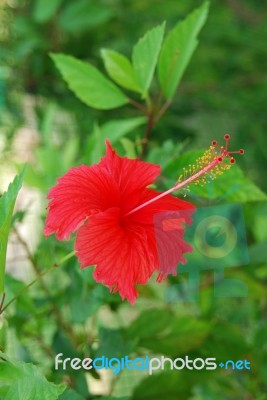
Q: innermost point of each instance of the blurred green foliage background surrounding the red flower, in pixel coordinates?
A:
(43, 124)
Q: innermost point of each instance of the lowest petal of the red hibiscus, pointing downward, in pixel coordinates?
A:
(121, 253)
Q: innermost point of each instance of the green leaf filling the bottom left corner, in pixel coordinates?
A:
(24, 381)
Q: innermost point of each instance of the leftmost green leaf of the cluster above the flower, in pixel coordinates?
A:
(89, 84)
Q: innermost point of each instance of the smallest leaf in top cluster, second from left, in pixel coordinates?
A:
(120, 69)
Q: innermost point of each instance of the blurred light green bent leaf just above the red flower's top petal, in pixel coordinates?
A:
(112, 130)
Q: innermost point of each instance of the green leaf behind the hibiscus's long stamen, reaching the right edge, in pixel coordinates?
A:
(232, 185)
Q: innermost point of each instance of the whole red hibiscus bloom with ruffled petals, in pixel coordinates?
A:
(125, 245)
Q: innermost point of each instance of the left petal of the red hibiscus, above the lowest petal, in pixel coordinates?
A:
(79, 193)
